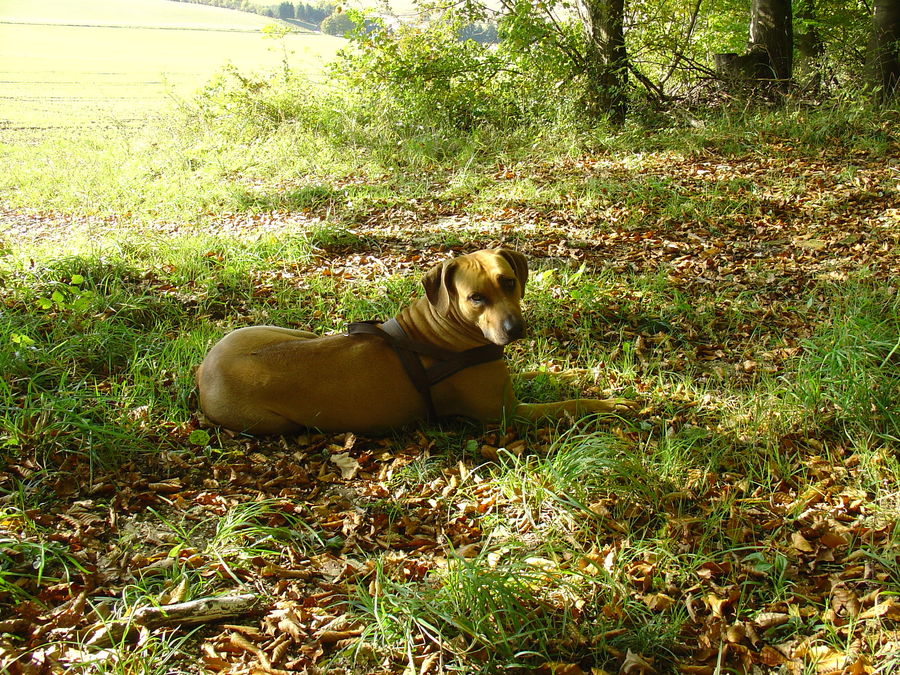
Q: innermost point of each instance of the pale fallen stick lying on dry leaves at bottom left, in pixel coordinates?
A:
(201, 610)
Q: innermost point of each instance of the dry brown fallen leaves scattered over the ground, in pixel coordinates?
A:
(324, 513)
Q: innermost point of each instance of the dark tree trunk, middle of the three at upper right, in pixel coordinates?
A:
(772, 40)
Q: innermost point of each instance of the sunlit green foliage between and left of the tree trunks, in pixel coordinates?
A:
(542, 54)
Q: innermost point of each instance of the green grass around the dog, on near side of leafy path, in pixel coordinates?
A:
(98, 374)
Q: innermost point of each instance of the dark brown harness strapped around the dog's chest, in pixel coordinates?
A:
(446, 363)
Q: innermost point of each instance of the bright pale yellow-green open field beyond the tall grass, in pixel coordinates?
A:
(70, 63)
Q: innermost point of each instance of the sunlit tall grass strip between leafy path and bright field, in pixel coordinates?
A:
(258, 144)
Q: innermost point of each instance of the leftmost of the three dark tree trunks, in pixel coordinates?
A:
(606, 60)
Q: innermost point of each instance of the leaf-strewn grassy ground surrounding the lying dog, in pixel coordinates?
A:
(737, 280)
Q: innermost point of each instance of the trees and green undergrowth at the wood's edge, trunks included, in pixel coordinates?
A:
(597, 56)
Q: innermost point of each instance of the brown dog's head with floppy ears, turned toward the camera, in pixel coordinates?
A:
(483, 289)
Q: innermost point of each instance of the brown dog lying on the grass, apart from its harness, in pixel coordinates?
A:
(268, 380)
